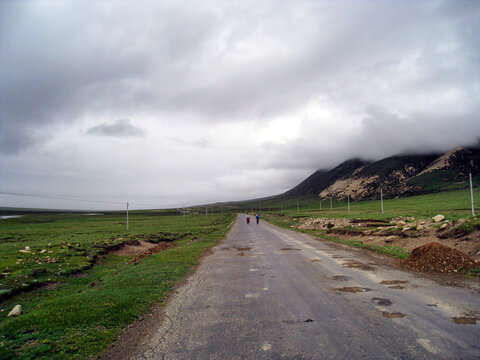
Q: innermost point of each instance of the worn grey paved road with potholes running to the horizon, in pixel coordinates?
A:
(269, 293)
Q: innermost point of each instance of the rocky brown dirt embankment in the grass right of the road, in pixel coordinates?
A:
(408, 232)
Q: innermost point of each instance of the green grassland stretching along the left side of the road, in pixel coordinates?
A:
(84, 314)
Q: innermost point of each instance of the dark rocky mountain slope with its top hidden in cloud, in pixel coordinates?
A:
(397, 175)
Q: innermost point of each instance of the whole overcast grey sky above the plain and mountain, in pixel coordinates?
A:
(172, 103)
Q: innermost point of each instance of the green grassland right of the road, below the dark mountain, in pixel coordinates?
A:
(454, 205)
